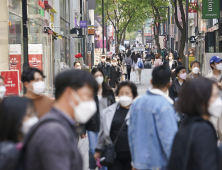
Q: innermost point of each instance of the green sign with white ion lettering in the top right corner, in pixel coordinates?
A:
(211, 9)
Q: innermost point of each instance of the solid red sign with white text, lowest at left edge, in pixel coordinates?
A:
(11, 79)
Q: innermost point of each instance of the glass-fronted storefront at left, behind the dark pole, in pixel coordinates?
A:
(40, 41)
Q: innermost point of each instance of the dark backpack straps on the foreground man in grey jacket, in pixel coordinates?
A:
(21, 161)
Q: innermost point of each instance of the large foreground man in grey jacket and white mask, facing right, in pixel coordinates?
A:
(57, 142)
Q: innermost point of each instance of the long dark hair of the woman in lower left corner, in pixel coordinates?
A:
(12, 112)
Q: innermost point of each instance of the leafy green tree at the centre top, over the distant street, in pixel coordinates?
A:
(123, 15)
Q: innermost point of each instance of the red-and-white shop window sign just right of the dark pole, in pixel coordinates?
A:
(35, 55)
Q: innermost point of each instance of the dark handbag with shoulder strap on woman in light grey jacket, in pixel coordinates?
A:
(108, 154)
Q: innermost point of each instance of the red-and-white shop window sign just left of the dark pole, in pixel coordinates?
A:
(15, 57)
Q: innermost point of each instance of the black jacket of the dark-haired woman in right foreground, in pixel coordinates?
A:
(204, 154)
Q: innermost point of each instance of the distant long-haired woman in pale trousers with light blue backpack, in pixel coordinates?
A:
(136, 66)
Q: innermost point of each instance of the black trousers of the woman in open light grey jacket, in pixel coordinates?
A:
(122, 162)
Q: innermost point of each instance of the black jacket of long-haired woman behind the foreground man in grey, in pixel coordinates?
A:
(94, 123)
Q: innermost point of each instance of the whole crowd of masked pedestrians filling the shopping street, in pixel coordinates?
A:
(175, 125)
